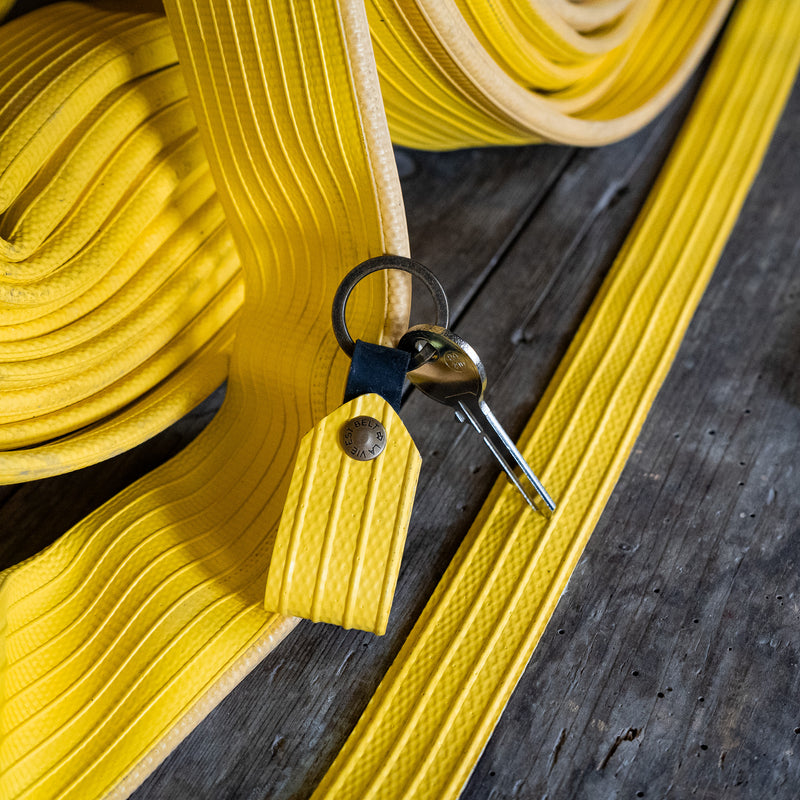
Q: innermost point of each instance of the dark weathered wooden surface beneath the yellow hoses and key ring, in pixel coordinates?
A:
(670, 667)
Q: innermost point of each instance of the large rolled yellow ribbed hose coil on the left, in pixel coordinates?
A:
(117, 269)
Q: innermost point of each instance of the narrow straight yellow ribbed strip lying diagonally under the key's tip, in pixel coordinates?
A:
(431, 717)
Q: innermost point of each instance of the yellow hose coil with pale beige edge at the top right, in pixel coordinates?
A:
(443, 89)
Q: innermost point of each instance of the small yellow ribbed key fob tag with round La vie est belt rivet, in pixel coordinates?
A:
(341, 537)
